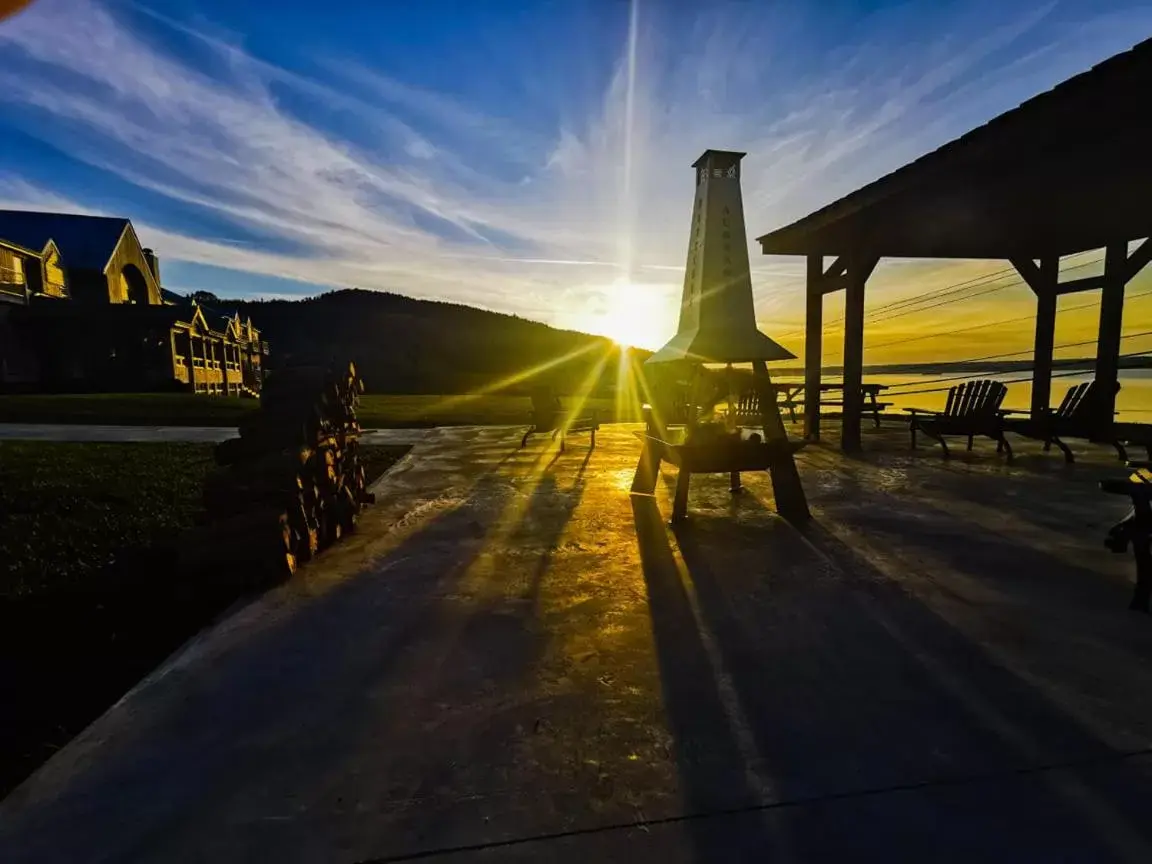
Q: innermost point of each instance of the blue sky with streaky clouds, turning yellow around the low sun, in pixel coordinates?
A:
(530, 157)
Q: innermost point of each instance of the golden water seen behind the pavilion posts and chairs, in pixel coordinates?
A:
(1134, 403)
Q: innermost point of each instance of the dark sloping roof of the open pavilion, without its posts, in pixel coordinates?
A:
(1064, 172)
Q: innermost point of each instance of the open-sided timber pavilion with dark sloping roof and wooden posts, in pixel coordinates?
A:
(1063, 173)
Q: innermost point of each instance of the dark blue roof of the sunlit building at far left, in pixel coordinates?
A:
(85, 242)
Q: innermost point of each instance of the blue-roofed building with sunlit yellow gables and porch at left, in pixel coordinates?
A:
(82, 309)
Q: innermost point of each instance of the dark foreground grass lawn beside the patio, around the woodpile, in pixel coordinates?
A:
(89, 603)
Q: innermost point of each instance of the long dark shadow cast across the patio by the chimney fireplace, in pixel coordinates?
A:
(848, 686)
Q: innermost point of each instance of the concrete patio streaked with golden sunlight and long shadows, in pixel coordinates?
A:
(514, 660)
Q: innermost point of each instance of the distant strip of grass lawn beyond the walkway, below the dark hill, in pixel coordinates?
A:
(183, 410)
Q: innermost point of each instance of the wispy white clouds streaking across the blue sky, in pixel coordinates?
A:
(385, 185)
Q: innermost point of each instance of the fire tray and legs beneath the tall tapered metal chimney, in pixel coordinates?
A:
(731, 454)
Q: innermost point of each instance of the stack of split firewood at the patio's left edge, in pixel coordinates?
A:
(293, 483)
